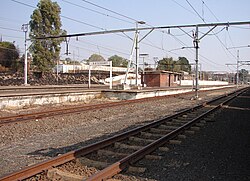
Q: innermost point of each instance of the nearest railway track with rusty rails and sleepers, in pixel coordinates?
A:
(106, 158)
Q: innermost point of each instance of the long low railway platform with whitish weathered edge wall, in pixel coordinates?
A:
(16, 97)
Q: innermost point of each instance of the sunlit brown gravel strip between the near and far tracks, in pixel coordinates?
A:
(28, 143)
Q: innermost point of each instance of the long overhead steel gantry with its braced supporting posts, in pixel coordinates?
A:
(196, 38)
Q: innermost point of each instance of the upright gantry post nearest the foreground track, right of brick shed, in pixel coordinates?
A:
(196, 41)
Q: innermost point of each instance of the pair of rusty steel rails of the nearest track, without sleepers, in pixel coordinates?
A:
(123, 163)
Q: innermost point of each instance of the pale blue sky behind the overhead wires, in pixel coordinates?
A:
(217, 49)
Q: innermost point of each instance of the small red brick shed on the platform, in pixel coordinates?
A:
(160, 78)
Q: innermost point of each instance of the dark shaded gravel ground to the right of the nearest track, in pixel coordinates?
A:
(219, 151)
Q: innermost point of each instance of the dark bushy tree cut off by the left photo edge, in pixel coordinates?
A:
(9, 55)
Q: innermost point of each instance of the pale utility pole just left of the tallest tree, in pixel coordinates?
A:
(25, 30)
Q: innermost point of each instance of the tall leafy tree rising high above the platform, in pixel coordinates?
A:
(45, 21)
